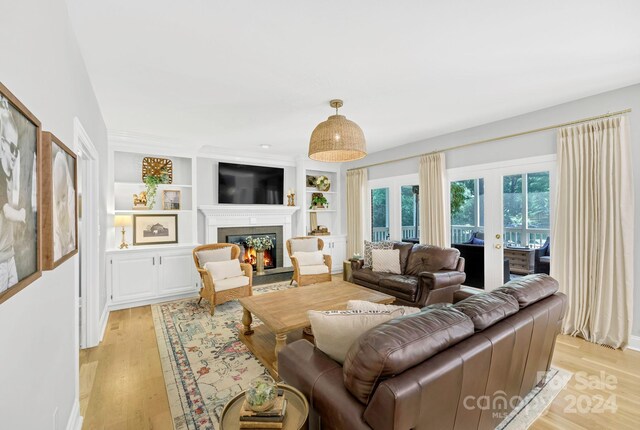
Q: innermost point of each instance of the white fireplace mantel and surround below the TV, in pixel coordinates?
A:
(247, 216)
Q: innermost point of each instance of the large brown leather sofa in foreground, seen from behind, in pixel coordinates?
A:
(431, 370)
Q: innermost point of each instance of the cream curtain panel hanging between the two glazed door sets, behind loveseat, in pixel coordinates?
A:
(433, 214)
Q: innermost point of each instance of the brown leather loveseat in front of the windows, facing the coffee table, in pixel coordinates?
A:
(429, 275)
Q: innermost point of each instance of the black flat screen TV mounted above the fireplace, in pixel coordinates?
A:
(242, 184)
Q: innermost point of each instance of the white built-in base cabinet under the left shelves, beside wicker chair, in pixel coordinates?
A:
(141, 276)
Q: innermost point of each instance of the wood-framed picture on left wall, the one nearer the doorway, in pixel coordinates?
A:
(59, 202)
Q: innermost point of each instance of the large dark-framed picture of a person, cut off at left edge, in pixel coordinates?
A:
(20, 218)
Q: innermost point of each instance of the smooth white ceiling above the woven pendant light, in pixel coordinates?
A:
(236, 74)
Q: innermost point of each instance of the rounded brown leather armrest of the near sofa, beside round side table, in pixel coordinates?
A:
(321, 380)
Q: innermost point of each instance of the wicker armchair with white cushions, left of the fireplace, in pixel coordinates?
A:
(222, 281)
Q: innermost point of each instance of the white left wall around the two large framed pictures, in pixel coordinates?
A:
(41, 64)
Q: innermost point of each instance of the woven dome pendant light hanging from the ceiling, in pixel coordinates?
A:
(337, 139)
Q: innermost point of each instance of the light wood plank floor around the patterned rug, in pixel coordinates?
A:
(122, 387)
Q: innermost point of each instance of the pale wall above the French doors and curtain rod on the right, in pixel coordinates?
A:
(520, 147)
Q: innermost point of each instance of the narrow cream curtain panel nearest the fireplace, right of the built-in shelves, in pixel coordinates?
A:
(356, 201)
